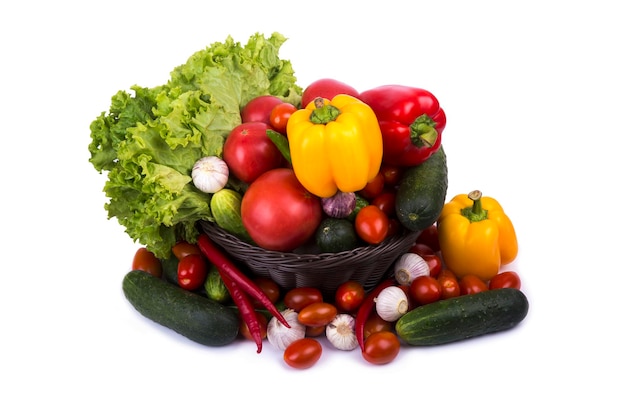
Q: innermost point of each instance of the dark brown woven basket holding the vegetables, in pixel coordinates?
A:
(325, 271)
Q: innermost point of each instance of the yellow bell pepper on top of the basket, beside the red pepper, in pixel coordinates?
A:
(335, 145)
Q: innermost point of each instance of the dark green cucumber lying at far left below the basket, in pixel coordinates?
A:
(192, 315)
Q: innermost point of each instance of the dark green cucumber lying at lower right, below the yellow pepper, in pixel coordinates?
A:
(463, 317)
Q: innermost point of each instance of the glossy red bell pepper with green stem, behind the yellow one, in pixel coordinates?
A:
(411, 122)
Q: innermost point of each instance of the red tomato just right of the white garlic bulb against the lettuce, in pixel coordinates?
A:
(249, 152)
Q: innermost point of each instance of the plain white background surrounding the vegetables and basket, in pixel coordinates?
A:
(535, 97)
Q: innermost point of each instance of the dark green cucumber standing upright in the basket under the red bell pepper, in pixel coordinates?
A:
(422, 192)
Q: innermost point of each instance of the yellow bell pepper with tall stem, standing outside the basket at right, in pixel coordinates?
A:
(476, 236)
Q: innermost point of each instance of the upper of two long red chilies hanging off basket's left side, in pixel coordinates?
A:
(226, 266)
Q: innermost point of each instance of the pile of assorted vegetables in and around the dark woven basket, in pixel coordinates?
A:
(232, 139)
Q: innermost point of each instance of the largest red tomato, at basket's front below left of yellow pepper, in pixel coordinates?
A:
(278, 212)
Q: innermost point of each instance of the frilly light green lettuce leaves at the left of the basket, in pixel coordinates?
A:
(150, 138)
